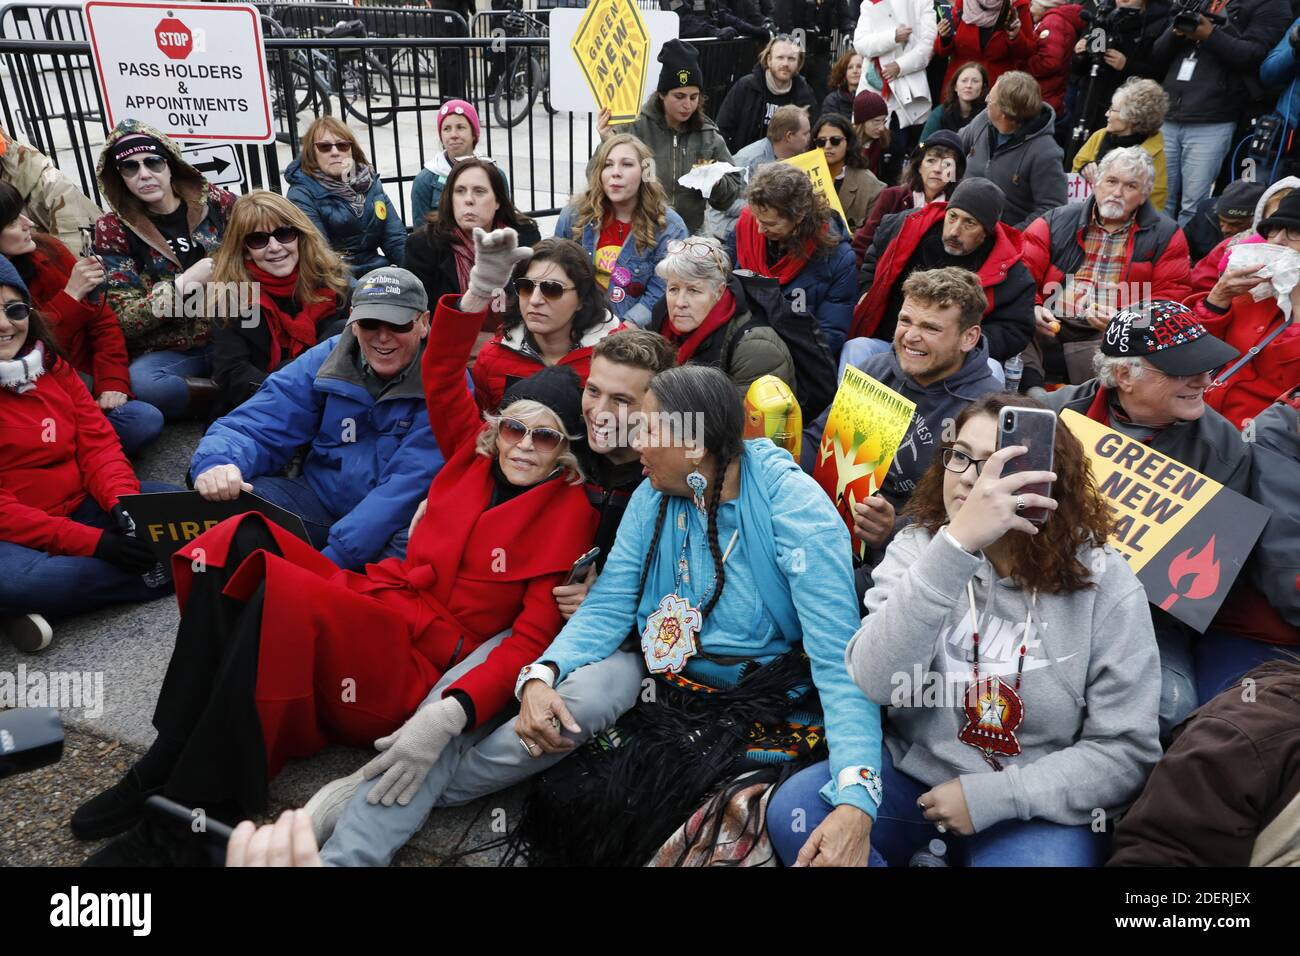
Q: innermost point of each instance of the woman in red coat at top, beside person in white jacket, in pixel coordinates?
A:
(996, 33)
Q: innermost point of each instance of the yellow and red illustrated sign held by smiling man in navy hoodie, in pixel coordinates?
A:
(864, 431)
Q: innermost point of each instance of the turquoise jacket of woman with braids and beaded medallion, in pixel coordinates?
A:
(790, 579)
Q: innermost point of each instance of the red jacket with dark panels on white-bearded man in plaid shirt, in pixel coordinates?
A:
(1156, 259)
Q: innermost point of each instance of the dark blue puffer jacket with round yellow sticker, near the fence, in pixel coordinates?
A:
(357, 239)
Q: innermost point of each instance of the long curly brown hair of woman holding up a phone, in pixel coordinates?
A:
(1048, 561)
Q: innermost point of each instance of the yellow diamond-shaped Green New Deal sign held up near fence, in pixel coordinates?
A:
(613, 49)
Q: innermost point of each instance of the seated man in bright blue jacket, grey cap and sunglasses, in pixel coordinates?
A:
(358, 401)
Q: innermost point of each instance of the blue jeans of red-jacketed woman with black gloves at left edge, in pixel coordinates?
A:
(59, 586)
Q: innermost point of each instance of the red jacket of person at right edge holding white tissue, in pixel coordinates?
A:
(1264, 378)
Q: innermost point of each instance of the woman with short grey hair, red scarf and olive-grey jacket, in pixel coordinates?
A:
(705, 314)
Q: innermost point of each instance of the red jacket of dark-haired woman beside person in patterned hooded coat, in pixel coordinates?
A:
(88, 331)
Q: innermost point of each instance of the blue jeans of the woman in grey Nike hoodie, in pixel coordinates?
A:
(902, 829)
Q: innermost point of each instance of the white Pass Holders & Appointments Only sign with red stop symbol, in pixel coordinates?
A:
(192, 71)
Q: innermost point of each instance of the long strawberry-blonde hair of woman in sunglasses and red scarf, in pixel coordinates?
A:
(319, 267)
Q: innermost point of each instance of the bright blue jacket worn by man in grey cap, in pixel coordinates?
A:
(371, 461)
